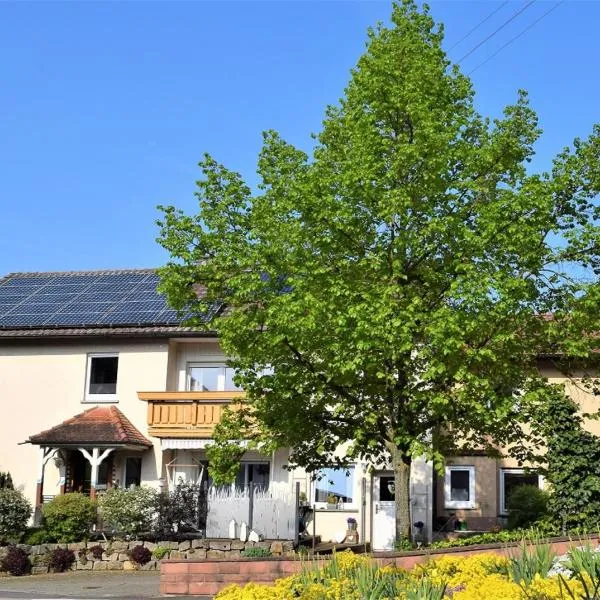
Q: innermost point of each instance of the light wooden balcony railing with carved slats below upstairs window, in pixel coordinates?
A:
(186, 414)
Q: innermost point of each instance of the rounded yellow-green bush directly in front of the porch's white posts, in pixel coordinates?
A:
(69, 517)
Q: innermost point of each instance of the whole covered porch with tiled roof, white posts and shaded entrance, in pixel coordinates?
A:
(85, 449)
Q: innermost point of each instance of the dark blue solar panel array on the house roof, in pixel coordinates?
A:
(100, 299)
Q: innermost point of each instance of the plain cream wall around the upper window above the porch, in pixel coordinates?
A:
(42, 384)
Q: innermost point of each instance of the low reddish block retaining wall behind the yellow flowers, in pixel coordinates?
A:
(207, 577)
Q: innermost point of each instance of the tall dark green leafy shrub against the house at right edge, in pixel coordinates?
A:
(572, 464)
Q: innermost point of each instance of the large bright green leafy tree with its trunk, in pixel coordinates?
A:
(391, 285)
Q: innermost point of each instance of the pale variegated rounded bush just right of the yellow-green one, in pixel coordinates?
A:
(128, 511)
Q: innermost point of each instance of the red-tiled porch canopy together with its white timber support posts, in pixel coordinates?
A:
(95, 433)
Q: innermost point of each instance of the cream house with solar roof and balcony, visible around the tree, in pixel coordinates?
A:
(101, 386)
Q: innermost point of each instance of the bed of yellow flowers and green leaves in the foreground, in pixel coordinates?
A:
(530, 573)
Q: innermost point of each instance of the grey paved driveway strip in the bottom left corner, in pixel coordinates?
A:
(82, 584)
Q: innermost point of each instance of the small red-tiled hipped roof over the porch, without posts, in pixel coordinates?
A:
(103, 425)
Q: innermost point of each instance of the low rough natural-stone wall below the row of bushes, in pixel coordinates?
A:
(115, 555)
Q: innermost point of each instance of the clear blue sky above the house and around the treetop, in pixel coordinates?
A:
(106, 107)
